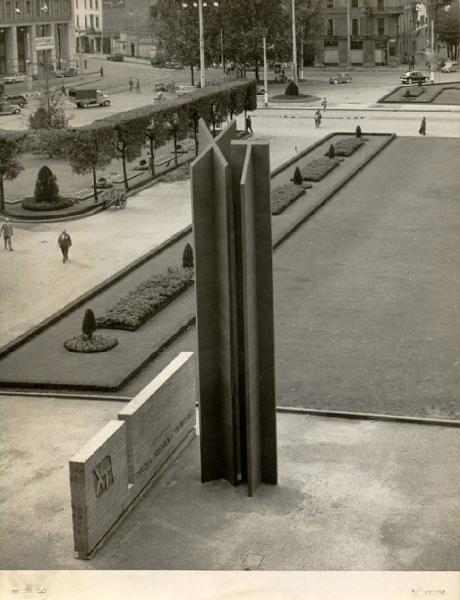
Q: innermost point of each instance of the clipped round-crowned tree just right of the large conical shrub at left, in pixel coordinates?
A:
(89, 149)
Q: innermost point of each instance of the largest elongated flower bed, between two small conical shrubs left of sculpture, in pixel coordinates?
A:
(134, 309)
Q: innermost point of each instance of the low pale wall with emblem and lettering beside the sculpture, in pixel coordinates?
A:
(109, 472)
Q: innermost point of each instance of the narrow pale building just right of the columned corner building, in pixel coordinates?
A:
(88, 25)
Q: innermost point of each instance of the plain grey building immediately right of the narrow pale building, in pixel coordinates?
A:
(127, 28)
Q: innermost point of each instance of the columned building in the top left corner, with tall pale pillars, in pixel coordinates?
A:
(35, 34)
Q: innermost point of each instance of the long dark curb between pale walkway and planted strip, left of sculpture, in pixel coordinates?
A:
(74, 304)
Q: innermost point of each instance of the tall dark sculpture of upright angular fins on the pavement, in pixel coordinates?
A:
(234, 290)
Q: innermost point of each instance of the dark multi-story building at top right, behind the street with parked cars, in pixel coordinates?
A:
(372, 27)
